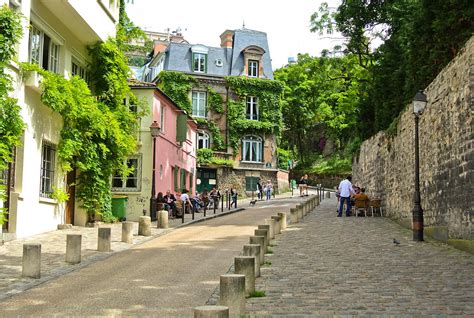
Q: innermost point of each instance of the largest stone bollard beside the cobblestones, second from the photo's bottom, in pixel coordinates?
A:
(232, 293)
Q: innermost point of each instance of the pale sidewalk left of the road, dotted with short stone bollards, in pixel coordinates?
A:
(53, 249)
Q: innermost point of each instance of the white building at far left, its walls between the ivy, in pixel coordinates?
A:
(56, 35)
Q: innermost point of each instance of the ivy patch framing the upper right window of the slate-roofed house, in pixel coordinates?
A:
(268, 93)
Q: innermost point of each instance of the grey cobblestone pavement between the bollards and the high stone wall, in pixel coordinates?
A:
(330, 266)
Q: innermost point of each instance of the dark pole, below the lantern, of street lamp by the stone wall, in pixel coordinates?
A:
(417, 210)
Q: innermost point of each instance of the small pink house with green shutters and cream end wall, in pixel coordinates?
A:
(175, 152)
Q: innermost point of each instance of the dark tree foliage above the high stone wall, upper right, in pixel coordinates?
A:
(419, 37)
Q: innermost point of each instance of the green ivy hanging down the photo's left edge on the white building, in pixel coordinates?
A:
(11, 123)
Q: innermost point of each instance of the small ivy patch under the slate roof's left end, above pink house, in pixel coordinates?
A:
(177, 86)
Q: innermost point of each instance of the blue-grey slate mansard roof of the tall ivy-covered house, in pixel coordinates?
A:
(179, 55)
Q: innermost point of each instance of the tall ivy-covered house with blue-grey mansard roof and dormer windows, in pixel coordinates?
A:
(232, 95)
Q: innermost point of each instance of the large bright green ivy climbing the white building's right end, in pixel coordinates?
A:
(98, 134)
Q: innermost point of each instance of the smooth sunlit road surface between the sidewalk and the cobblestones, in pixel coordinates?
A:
(167, 276)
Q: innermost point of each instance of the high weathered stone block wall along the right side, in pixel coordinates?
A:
(385, 164)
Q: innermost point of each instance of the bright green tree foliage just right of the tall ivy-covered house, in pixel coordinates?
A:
(320, 100)
